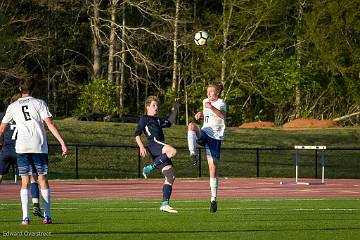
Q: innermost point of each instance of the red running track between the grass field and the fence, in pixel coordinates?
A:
(193, 189)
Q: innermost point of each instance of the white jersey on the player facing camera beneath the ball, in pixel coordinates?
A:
(213, 125)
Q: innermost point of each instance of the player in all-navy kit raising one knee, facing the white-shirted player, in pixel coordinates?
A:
(161, 153)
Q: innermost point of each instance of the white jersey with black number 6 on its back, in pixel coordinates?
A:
(29, 113)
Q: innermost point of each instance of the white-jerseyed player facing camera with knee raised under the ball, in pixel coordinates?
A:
(210, 136)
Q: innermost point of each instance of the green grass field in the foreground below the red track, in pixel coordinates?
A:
(236, 219)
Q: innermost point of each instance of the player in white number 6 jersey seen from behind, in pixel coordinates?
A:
(31, 147)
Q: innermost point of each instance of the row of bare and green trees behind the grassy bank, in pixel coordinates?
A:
(277, 59)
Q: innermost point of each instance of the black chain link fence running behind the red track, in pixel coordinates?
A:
(108, 162)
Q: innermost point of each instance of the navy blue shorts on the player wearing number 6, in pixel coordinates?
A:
(32, 163)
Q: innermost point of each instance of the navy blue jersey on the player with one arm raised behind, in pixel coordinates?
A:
(152, 126)
